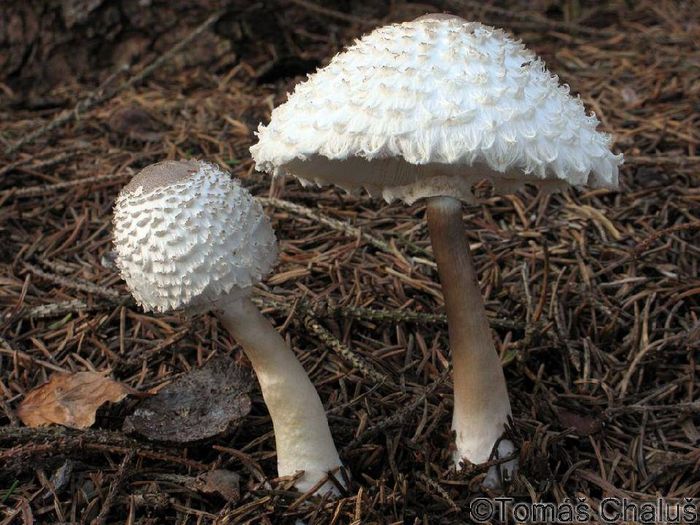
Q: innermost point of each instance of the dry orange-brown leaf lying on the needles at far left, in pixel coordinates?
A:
(70, 400)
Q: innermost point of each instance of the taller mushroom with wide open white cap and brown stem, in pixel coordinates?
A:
(424, 110)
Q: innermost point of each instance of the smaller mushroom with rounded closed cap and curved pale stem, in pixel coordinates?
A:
(188, 236)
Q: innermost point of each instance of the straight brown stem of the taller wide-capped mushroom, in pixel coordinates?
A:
(481, 405)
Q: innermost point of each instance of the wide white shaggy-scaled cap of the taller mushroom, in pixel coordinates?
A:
(428, 108)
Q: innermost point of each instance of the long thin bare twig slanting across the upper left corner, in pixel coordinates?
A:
(101, 95)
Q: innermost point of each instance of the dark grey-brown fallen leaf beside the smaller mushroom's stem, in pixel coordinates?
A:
(198, 405)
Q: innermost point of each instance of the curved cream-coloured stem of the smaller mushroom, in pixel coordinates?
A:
(302, 436)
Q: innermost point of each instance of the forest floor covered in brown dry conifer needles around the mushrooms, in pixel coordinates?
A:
(594, 296)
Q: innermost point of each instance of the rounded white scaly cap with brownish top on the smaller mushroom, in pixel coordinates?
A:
(187, 235)
